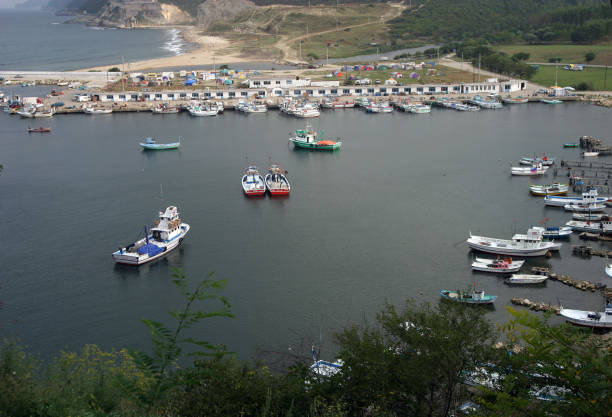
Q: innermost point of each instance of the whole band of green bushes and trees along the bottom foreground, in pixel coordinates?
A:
(420, 360)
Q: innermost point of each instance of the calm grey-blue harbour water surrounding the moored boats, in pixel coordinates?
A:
(384, 219)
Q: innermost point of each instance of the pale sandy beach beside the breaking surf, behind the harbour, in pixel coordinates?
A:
(208, 51)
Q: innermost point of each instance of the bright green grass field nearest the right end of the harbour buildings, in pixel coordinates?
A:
(592, 76)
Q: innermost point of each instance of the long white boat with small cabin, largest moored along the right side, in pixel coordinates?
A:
(530, 244)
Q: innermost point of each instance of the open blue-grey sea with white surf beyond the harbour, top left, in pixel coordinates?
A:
(41, 41)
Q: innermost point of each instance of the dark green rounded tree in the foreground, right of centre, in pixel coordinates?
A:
(413, 362)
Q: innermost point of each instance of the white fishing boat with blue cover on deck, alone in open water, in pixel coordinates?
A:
(166, 235)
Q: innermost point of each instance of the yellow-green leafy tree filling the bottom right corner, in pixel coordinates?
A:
(558, 370)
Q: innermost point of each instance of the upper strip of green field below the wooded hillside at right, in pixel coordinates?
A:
(570, 54)
